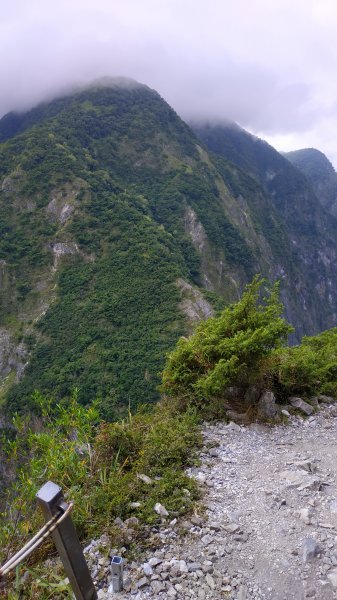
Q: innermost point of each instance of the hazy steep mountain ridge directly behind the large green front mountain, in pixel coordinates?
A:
(309, 232)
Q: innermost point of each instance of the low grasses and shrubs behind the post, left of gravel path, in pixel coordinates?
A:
(97, 465)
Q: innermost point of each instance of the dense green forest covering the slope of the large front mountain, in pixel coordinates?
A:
(130, 167)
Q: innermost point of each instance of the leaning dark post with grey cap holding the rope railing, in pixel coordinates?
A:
(50, 498)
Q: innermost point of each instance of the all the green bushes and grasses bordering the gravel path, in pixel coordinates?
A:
(97, 463)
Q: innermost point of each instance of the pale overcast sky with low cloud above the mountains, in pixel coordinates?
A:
(270, 65)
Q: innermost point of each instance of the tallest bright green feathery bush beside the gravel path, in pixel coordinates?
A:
(229, 350)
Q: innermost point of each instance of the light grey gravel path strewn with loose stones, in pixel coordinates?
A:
(270, 527)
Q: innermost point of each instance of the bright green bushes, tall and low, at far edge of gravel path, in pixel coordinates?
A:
(244, 346)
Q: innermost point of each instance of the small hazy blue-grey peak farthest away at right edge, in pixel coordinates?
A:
(321, 174)
